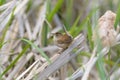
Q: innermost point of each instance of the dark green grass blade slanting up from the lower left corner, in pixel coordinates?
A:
(15, 61)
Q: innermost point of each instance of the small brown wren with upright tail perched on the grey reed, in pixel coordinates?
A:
(62, 40)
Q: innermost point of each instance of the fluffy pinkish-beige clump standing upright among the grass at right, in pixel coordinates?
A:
(106, 31)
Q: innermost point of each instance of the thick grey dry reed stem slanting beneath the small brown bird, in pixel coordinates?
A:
(63, 59)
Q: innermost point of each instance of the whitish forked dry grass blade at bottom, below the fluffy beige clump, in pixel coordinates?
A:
(85, 69)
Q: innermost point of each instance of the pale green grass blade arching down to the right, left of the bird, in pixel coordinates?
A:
(37, 48)
